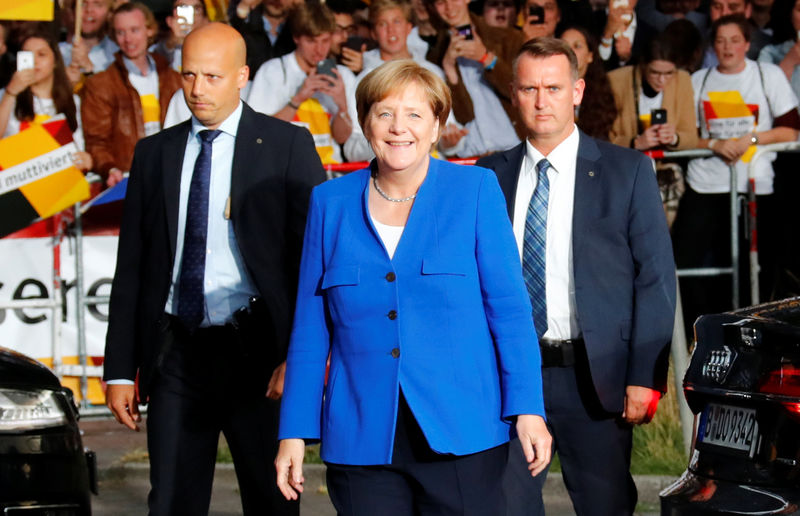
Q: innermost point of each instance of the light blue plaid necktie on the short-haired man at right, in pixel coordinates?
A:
(534, 248)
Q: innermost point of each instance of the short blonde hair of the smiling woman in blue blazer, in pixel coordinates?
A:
(395, 76)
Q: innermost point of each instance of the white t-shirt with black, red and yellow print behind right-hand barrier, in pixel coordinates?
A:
(733, 105)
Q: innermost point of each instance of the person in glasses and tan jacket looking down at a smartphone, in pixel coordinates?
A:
(654, 105)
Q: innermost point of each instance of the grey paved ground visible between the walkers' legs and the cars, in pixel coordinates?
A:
(124, 480)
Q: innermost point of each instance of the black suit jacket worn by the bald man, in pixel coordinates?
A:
(275, 166)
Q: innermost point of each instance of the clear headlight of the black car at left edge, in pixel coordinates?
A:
(30, 409)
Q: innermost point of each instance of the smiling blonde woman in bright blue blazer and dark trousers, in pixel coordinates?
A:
(410, 281)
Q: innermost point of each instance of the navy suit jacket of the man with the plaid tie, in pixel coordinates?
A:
(622, 264)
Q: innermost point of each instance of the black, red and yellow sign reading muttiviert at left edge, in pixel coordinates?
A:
(37, 177)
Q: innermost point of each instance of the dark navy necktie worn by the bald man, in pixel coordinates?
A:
(191, 298)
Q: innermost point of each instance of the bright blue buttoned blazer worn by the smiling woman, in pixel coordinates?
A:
(448, 319)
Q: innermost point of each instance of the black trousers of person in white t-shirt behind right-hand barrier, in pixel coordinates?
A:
(701, 237)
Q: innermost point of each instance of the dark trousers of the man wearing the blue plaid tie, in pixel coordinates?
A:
(594, 448)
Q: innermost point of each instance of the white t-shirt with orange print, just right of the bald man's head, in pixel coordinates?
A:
(279, 79)
